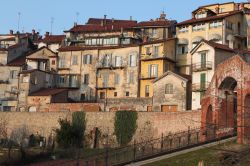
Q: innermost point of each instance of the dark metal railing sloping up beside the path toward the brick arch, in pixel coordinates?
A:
(153, 148)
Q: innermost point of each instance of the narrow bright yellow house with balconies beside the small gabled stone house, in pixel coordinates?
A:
(156, 58)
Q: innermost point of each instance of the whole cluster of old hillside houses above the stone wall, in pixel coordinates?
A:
(155, 65)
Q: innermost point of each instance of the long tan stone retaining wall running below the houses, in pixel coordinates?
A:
(150, 124)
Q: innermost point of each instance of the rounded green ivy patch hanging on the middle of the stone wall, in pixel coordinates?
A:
(125, 126)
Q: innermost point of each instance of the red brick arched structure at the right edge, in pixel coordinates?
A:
(229, 95)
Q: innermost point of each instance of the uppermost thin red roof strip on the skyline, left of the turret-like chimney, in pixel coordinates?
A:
(108, 21)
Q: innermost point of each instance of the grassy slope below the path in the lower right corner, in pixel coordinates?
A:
(210, 156)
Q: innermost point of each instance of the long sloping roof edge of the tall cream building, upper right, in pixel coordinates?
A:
(216, 17)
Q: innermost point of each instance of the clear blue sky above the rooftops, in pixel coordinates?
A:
(61, 14)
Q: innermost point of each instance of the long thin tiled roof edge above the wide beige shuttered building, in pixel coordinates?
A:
(78, 48)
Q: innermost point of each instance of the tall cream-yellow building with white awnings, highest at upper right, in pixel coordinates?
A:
(221, 23)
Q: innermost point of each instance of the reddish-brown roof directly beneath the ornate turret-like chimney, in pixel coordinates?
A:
(156, 23)
